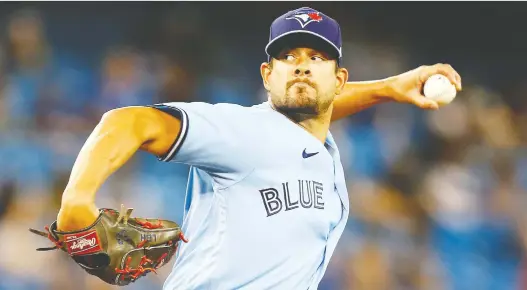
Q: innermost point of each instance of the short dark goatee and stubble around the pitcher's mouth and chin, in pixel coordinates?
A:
(301, 101)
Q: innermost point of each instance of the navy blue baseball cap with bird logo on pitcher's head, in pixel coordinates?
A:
(308, 27)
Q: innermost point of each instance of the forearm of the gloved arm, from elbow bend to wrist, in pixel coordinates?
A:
(108, 148)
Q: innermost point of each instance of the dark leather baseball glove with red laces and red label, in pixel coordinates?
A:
(116, 248)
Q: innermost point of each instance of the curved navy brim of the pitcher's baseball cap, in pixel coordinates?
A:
(298, 38)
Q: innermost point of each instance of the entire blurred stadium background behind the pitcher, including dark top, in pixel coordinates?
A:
(437, 197)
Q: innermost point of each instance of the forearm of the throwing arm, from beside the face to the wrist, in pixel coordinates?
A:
(358, 96)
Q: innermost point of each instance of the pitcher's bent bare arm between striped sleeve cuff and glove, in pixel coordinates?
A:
(116, 138)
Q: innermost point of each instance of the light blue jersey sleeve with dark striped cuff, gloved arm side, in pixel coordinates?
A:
(213, 137)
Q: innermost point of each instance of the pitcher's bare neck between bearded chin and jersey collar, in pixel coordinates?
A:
(317, 126)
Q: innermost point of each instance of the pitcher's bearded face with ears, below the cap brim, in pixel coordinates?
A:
(303, 81)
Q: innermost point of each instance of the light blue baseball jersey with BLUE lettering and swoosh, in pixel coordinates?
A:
(266, 201)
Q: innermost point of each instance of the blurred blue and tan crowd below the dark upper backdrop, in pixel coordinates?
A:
(436, 197)
